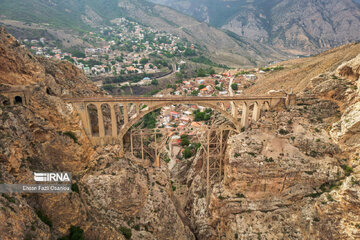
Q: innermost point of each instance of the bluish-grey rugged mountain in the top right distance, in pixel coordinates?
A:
(298, 27)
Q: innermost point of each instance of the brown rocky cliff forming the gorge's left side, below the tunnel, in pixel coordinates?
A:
(115, 195)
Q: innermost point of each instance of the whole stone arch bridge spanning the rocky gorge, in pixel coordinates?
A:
(127, 111)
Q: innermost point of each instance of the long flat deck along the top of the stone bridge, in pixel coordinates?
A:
(172, 99)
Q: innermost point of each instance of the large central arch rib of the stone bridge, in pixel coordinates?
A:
(150, 109)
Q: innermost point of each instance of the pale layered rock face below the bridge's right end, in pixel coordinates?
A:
(280, 183)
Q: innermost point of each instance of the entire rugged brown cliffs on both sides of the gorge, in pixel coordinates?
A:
(294, 175)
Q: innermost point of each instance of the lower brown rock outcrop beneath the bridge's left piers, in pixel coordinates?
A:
(120, 193)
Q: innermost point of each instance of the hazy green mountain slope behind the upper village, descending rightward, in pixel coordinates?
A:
(83, 15)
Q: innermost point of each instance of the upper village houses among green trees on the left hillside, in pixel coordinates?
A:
(124, 48)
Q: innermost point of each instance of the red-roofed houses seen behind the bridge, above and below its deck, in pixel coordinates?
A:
(182, 119)
